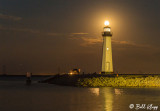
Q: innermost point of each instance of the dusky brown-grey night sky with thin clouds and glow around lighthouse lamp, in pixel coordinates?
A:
(51, 36)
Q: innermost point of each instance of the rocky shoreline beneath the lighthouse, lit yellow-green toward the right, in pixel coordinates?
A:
(111, 80)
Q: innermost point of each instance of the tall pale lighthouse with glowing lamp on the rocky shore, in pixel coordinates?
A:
(107, 64)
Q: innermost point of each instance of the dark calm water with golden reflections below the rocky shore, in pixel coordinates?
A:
(16, 96)
